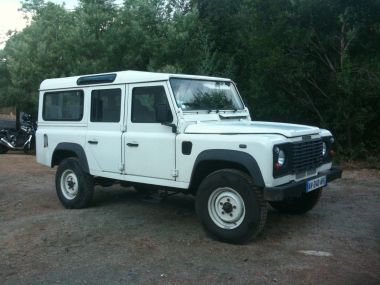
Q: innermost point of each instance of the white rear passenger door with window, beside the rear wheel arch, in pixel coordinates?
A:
(105, 126)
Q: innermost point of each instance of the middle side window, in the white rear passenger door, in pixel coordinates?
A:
(105, 105)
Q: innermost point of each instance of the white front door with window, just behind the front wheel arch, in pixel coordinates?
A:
(149, 145)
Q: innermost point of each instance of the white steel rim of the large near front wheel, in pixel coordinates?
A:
(226, 208)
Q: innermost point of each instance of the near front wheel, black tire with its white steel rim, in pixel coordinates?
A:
(219, 195)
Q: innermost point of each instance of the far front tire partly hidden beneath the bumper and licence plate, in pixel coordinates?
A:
(300, 205)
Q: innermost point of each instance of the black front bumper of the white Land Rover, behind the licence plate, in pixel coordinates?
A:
(296, 189)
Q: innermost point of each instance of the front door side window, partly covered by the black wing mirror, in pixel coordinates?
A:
(144, 103)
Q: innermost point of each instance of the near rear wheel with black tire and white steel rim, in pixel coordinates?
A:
(75, 188)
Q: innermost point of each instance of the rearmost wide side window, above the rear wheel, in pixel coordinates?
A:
(63, 106)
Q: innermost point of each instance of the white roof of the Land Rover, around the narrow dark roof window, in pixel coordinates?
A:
(122, 77)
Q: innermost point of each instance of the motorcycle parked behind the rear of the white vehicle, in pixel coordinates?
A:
(22, 139)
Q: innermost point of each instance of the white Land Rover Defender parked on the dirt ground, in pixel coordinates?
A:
(180, 133)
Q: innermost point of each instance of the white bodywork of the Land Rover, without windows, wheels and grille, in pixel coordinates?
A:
(155, 156)
